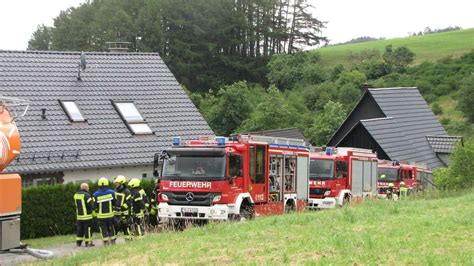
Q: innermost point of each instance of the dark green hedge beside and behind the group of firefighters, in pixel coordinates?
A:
(50, 210)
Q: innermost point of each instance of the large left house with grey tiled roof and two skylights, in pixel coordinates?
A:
(107, 119)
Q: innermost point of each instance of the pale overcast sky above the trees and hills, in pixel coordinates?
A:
(347, 19)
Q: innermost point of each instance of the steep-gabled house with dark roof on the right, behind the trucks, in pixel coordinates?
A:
(398, 124)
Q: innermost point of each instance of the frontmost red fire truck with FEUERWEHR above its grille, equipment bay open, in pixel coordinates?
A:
(236, 178)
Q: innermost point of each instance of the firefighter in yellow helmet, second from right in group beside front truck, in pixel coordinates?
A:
(138, 208)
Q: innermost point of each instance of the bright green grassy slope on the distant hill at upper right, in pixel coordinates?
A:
(429, 47)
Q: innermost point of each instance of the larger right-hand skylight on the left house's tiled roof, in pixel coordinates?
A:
(132, 118)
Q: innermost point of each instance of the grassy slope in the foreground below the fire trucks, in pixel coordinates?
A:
(423, 231)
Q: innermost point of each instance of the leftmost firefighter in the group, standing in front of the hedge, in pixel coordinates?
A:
(84, 208)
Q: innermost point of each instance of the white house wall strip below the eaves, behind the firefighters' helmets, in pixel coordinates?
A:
(86, 175)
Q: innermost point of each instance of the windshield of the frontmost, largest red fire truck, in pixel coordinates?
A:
(193, 167)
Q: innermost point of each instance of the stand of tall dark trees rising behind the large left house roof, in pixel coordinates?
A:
(206, 43)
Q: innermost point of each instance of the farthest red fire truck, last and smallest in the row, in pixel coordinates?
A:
(416, 176)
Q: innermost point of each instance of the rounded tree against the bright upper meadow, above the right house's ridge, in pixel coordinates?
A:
(399, 59)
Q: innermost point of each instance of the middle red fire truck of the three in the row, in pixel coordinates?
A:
(339, 175)
